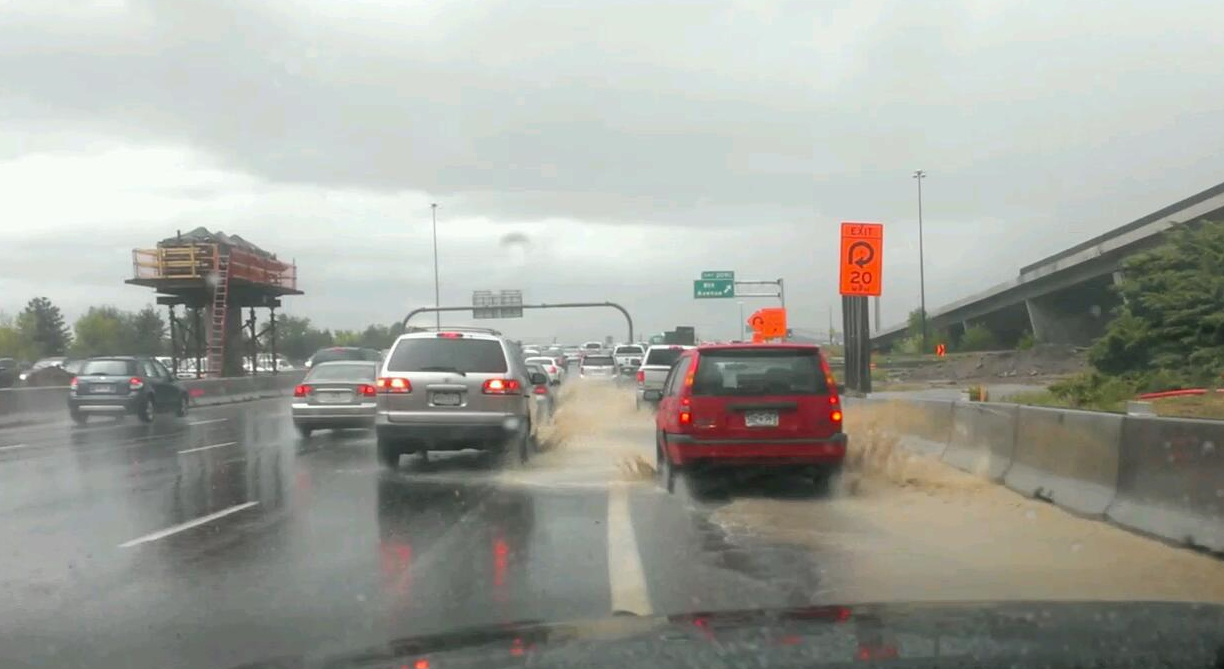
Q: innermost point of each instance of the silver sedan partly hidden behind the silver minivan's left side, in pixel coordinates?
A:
(336, 396)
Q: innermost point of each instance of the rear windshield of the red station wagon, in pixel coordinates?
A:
(759, 372)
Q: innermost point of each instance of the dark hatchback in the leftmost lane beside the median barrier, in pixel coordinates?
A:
(118, 386)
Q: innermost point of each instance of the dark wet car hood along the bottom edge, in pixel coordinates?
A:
(1073, 634)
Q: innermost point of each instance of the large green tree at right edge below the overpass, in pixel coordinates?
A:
(1172, 320)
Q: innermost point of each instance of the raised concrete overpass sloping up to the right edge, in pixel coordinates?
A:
(1067, 298)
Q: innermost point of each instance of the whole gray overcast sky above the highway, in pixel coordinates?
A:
(631, 144)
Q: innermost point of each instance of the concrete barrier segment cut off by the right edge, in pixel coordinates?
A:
(1171, 480)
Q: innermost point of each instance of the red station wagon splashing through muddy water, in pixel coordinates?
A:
(750, 405)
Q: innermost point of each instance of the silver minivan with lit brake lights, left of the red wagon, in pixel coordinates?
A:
(453, 390)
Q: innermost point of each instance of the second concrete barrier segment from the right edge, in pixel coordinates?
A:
(1069, 458)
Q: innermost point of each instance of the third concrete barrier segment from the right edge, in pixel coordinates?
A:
(983, 438)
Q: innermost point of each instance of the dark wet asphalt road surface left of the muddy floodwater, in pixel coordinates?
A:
(223, 539)
